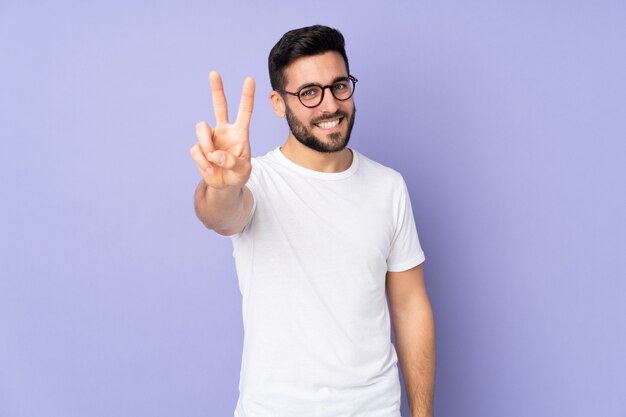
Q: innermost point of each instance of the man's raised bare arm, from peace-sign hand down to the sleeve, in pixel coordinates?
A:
(222, 155)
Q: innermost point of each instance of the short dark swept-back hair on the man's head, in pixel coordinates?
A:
(307, 41)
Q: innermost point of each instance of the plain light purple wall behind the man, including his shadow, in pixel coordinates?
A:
(507, 119)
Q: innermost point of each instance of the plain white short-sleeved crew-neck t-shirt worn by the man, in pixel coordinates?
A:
(311, 263)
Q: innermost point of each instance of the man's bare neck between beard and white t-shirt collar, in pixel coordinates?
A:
(317, 161)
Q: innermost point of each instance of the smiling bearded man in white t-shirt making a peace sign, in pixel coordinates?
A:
(320, 234)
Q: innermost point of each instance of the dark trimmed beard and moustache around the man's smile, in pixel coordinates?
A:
(337, 140)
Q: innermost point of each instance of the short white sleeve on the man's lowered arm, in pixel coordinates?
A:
(406, 251)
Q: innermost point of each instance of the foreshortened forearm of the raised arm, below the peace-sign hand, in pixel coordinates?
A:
(221, 210)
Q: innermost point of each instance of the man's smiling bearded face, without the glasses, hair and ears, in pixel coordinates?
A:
(327, 127)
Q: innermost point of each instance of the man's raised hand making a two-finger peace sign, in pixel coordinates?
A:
(223, 154)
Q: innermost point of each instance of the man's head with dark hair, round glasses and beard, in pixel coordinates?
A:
(313, 56)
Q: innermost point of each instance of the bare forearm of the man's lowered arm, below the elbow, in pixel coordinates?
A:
(415, 343)
